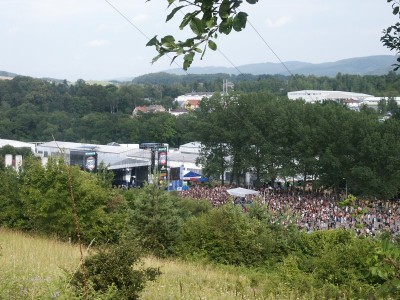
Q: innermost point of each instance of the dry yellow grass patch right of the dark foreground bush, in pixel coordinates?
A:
(182, 280)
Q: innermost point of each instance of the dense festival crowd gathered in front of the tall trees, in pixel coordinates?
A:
(310, 211)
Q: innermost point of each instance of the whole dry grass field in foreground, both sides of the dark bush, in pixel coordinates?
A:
(35, 268)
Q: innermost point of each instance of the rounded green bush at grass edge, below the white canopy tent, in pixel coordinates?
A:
(225, 235)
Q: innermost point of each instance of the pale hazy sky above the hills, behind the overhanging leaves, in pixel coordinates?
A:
(90, 40)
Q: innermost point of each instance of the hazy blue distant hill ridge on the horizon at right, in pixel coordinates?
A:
(369, 65)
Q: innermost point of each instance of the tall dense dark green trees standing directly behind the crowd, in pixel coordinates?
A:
(327, 144)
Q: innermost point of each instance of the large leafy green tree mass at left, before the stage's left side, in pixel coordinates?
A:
(47, 204)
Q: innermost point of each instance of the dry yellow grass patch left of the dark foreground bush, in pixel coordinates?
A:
(32, 267)
